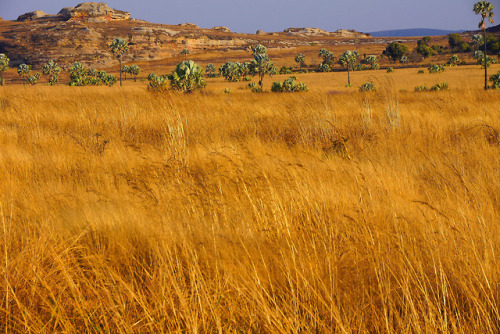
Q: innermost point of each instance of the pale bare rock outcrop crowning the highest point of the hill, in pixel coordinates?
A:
(93, 12)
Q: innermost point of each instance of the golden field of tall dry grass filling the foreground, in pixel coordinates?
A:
(331, 211)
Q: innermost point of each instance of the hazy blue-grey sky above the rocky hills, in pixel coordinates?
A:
(276, 15)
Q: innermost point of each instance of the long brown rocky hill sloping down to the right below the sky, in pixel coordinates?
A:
(83, 33)
